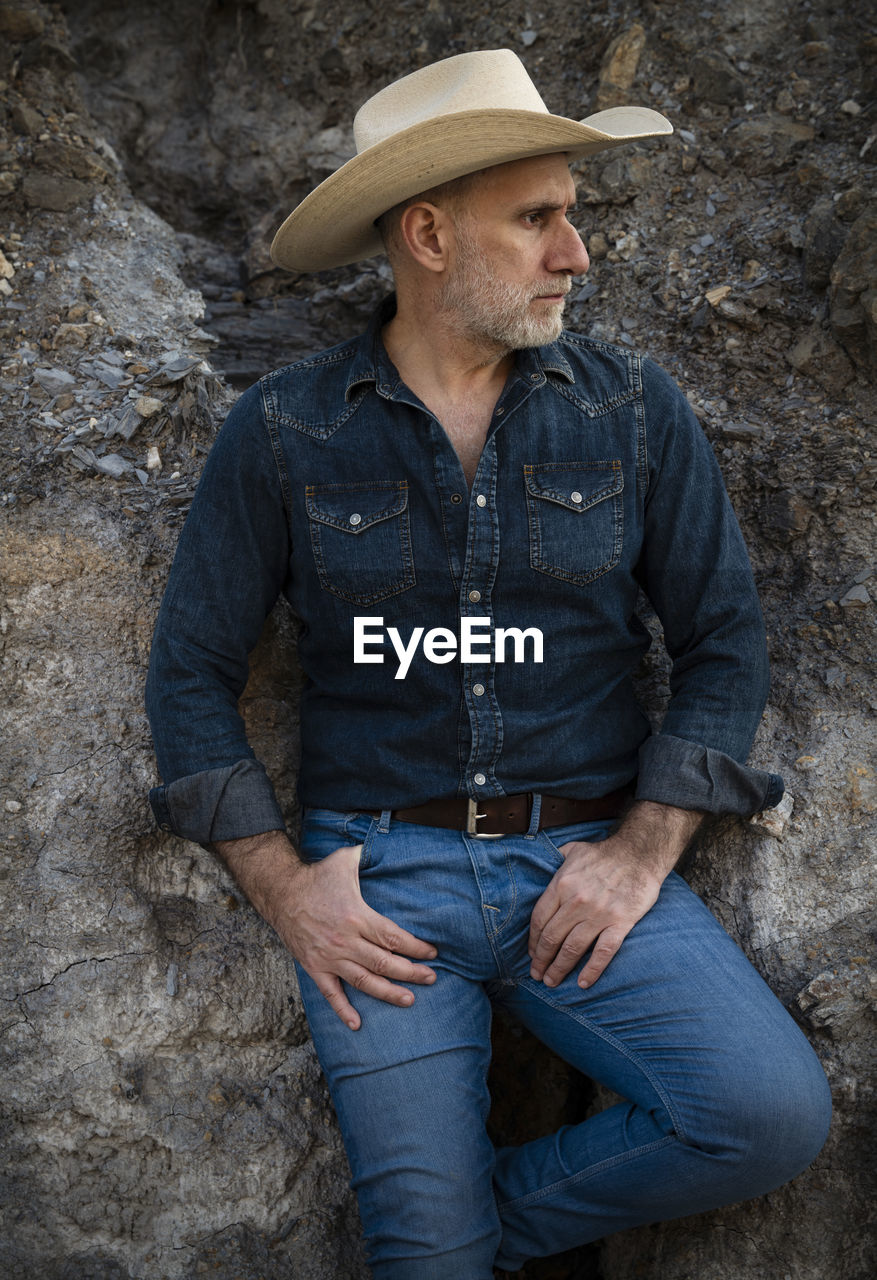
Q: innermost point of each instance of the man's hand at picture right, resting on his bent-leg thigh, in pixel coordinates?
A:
(602, 890)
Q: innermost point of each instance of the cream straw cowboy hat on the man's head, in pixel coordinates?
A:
(438, 124)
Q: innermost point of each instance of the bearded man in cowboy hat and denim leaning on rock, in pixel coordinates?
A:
(462, 506)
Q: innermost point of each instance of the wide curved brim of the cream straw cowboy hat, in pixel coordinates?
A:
(335, 225)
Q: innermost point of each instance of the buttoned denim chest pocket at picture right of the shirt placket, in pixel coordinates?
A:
(577, 518)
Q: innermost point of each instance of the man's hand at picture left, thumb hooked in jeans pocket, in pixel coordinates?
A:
(321, 916)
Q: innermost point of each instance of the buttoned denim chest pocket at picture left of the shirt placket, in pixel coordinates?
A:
(362, 540)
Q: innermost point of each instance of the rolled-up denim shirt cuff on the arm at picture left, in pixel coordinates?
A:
(230, 803)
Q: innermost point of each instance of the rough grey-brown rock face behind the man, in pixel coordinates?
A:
(163, 1110)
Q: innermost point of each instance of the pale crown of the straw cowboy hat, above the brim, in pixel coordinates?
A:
(486, 80)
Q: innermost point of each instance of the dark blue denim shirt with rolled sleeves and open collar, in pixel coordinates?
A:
(334, 484)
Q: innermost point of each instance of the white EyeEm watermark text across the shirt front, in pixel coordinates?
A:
(441, 644)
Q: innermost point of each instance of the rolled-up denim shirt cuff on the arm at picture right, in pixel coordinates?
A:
(689, 776)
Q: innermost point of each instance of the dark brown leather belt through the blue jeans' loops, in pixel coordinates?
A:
(510, 816)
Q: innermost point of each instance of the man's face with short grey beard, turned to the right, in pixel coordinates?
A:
(515, 255)
